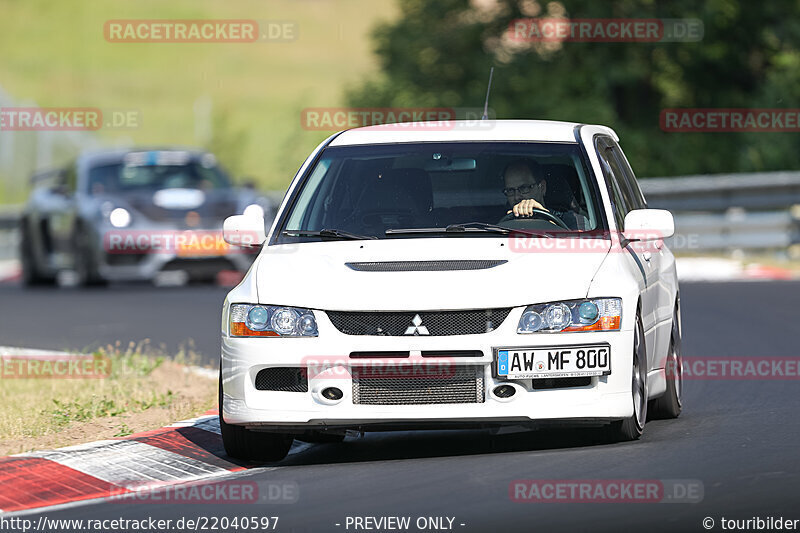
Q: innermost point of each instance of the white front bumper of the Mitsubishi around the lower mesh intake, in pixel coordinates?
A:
(605, 398)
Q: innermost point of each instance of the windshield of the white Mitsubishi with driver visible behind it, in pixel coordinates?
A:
(431, 189)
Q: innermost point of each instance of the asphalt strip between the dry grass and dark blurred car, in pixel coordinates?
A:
(82, 320)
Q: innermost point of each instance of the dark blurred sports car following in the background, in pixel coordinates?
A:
(130, 214)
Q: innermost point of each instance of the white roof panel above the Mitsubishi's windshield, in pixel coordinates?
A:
(459, 130)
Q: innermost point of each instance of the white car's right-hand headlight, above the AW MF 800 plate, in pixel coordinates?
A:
(595, 314)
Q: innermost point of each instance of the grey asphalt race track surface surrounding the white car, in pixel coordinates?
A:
(737, 437)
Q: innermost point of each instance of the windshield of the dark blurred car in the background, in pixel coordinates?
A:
(131, 177)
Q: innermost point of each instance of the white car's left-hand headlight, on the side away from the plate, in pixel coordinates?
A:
(271, 321)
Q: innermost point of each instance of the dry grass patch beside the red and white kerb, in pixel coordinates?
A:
(142, 390)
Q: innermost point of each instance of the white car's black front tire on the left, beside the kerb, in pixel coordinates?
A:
(242, 443)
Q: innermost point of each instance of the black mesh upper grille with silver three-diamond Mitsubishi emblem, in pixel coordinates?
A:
(434, 323)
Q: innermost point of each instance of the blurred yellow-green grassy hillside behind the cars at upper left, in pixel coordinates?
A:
(54, 53)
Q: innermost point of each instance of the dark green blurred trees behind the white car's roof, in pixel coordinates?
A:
(438, 53)
